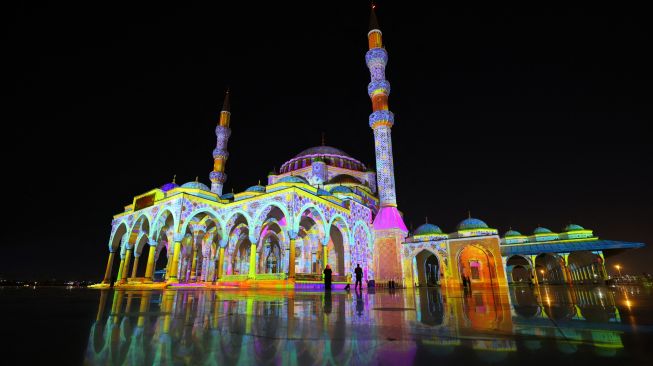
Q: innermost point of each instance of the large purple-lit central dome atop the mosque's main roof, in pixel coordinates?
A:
(329, 155)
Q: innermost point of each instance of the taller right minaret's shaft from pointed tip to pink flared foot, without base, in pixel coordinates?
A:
(381, 120)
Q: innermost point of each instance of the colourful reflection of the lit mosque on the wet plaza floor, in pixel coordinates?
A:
(205, 327)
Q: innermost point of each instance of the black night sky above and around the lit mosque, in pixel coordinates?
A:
(523, 116)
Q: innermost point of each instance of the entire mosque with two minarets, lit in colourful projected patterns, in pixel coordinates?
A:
(326, 207)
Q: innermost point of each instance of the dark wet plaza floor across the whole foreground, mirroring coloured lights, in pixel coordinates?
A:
(545, 325)
